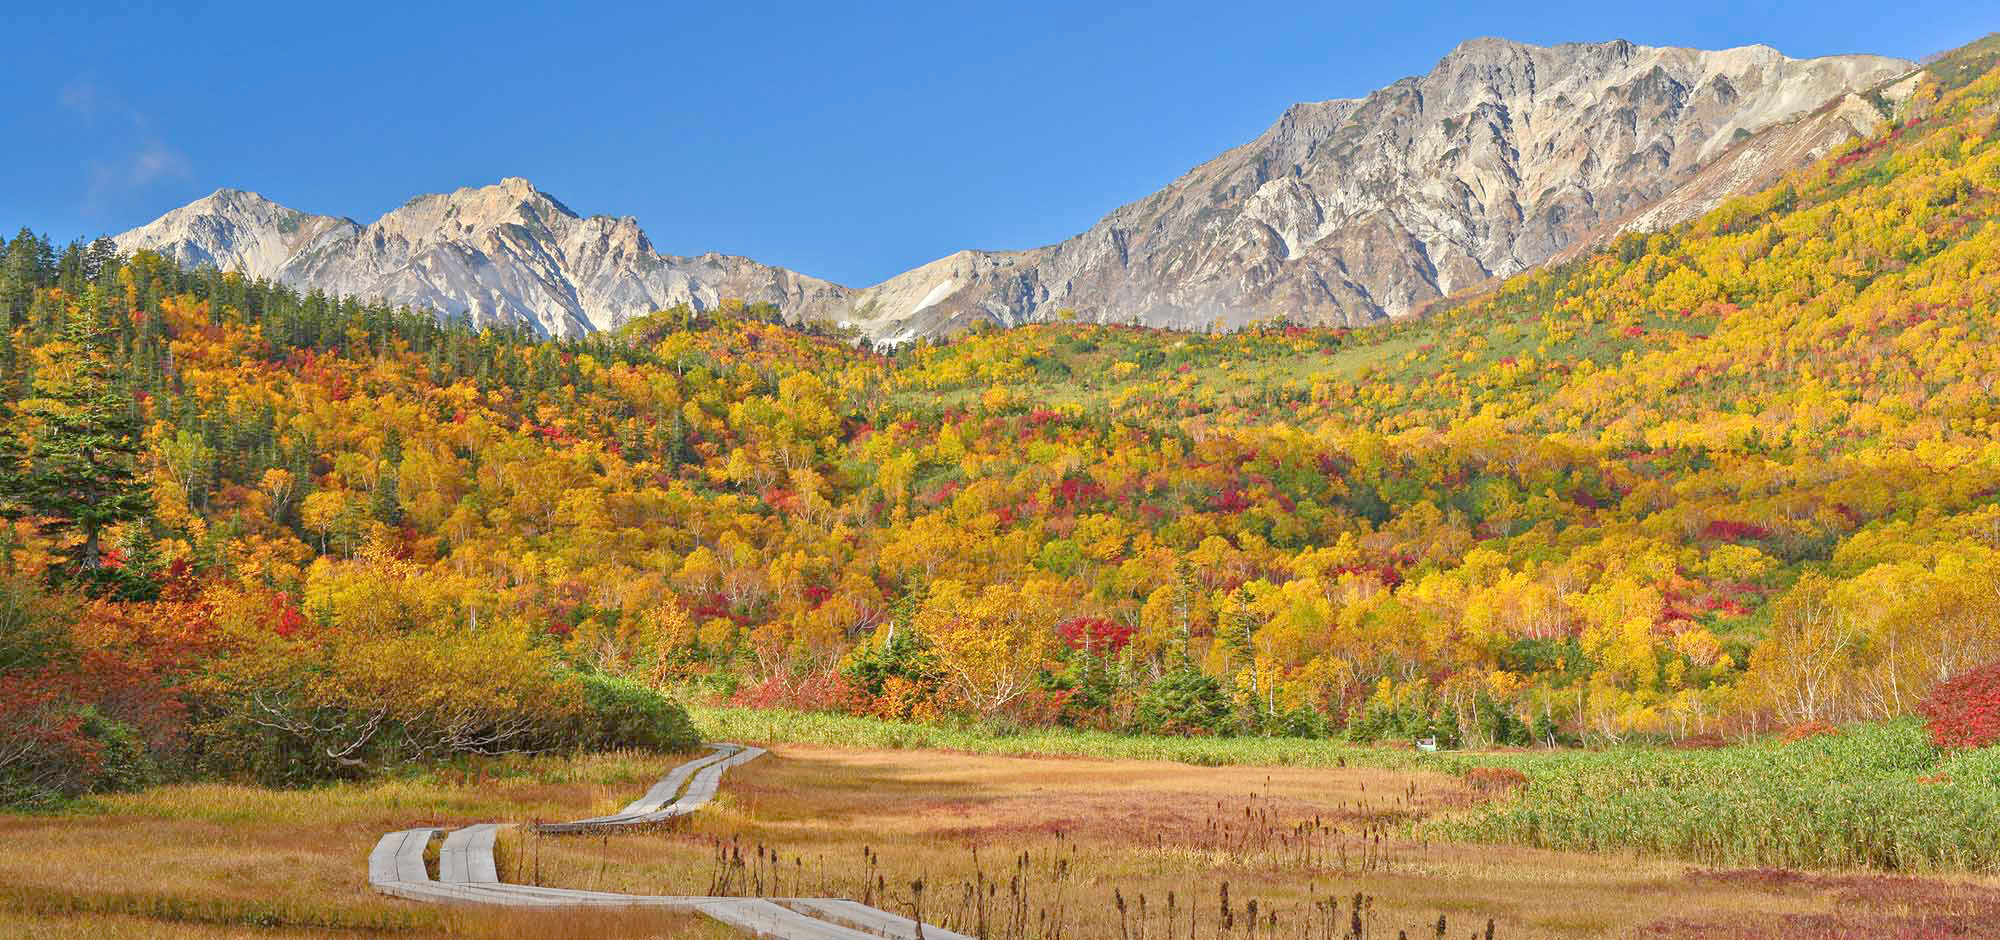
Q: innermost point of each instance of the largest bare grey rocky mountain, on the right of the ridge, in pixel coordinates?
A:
(1497, 161)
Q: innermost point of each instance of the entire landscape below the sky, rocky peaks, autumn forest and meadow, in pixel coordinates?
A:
(1551, 497)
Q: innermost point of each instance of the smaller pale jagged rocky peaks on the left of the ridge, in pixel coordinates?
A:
(497, 255)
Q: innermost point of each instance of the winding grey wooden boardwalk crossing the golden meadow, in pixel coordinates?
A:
(467, 871)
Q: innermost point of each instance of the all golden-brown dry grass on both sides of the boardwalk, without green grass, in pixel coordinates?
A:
(225, 861)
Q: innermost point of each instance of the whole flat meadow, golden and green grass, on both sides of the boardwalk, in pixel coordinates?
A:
(1051, 835)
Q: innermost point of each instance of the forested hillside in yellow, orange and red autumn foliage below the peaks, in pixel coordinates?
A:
(1727, 477)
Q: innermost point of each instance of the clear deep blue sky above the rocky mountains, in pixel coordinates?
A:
(847, 141)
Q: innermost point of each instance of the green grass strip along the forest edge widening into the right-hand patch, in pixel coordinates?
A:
(1863, 797)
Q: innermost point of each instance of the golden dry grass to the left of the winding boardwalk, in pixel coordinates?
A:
(215, 861)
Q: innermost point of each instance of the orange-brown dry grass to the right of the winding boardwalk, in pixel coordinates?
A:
(1135, 829)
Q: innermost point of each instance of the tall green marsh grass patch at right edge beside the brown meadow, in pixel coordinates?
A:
(1869, 797)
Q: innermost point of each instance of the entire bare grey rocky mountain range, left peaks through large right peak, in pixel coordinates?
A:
(1343, 213)
